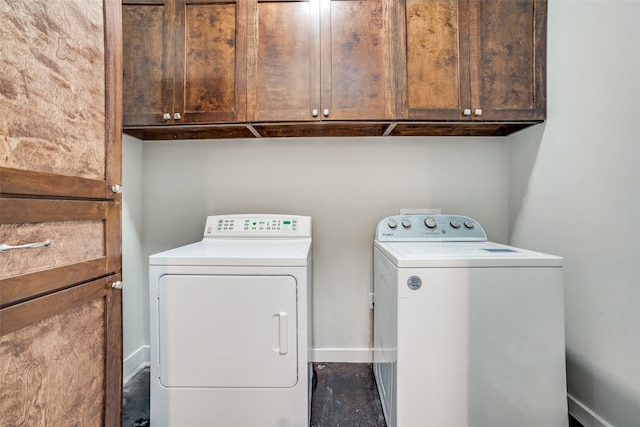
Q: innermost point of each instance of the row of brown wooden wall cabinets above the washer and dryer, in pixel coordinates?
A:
(261, 67)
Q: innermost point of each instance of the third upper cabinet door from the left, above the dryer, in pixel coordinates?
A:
(283, 60)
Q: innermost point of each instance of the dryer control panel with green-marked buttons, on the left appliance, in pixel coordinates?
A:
(258, 225)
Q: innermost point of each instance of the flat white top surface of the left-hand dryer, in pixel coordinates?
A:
(241, 252)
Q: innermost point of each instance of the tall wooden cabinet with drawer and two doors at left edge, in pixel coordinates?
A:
(60, 213)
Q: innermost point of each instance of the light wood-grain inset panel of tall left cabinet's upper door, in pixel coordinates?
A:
(52, 87)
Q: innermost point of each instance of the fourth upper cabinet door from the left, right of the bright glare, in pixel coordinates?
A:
(356, 58)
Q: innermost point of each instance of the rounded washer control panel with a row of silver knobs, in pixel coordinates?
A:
(425, 227)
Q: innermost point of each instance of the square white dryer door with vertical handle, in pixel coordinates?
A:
(227, 331)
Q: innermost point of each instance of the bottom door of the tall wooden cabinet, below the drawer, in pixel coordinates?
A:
(59, 358)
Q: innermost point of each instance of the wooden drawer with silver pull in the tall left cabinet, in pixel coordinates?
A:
(79, 234)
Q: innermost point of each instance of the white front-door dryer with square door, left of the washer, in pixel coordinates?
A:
(230, 325)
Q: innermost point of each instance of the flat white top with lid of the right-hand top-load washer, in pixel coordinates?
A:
(463, 254)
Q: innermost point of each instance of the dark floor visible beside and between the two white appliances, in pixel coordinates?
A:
(344, 394)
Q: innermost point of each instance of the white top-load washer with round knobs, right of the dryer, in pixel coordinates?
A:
(467, 333)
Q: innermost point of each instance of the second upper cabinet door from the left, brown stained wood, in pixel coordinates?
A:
(210, 61)
